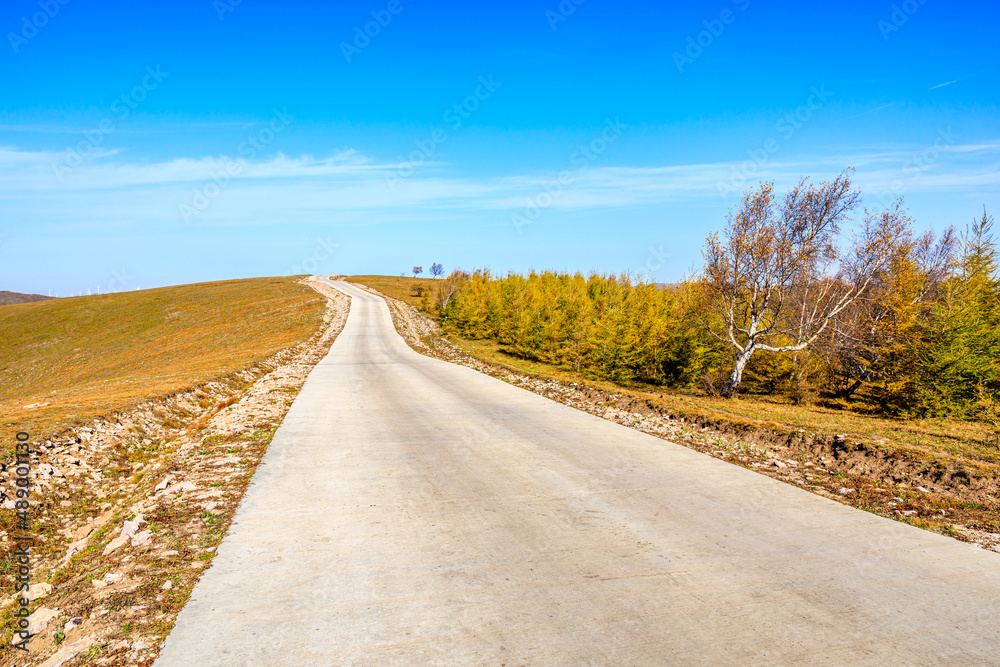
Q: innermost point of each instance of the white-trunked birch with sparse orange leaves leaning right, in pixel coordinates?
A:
(778, 276)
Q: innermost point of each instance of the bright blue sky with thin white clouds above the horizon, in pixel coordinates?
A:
(152, 145)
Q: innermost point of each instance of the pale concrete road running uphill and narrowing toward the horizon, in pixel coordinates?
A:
(414, 512)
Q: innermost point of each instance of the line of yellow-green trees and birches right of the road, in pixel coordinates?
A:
(903, 324)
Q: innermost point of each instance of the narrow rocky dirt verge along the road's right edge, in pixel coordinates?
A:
(951, 498)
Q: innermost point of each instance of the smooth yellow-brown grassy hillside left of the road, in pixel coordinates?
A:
(79, 357)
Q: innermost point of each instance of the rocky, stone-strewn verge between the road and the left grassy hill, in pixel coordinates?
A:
(127, 512)
